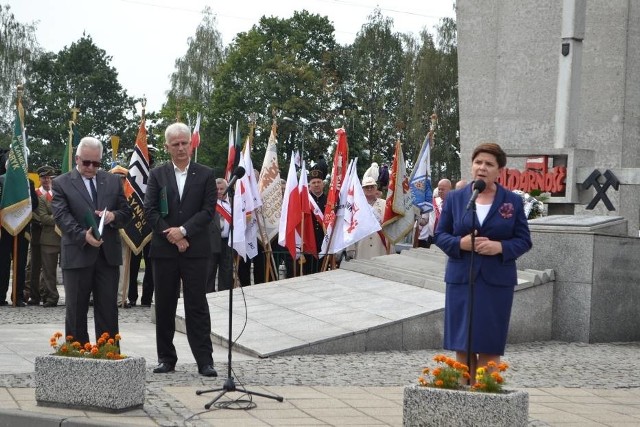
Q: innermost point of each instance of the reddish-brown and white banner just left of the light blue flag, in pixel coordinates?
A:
(399, 212)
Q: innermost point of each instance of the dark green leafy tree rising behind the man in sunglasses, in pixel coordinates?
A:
(78, 75)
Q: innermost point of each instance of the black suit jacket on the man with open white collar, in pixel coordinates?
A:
(194, 211)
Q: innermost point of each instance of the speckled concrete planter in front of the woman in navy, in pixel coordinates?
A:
(428, 406)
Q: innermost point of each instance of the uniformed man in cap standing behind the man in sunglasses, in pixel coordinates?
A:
(49, 241)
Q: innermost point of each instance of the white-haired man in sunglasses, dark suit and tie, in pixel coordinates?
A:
(89, 264)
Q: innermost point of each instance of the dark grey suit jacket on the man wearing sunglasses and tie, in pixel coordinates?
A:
(71, 201)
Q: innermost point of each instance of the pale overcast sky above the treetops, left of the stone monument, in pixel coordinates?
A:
(145, 37)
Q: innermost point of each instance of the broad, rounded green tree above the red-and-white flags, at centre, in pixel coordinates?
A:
(287, 65)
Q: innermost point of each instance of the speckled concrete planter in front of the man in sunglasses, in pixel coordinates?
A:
(97, 384)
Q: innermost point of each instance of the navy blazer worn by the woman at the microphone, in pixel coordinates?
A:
(505, 222)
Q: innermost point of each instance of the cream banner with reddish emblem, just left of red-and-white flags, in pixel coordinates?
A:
(270, 188)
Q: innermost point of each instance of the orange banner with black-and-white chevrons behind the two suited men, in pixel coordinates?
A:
(137, 232)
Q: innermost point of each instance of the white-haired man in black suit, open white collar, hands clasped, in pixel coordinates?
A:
(179, 205)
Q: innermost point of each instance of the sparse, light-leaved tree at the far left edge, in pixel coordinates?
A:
(18, 46)
